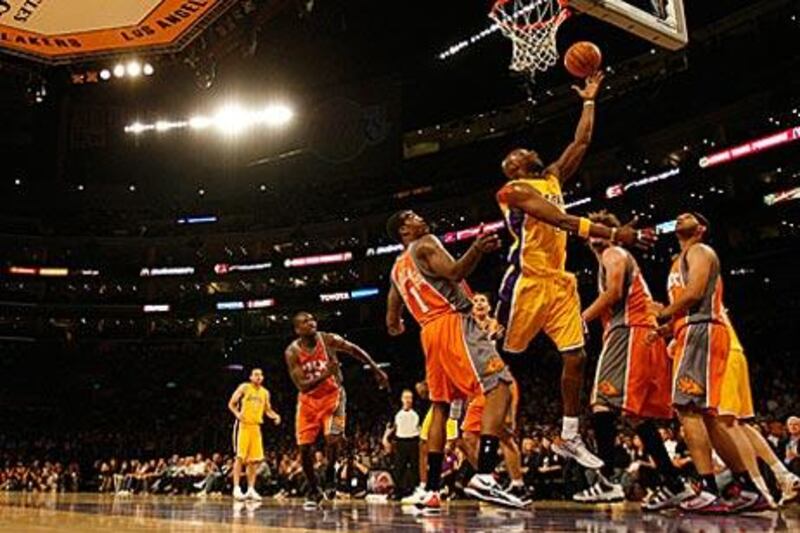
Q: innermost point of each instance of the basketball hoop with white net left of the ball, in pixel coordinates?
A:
(531, 25)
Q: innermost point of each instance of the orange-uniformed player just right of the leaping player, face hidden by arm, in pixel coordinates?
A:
(633, 376)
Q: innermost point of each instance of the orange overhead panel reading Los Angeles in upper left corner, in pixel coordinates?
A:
(63, 31)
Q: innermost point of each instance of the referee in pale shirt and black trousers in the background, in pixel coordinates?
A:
(406, 457)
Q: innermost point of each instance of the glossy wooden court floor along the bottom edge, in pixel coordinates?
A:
(95, 512)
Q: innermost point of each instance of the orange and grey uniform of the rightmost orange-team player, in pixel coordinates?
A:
(702, 341)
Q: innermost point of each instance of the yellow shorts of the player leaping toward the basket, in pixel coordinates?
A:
(548, 303)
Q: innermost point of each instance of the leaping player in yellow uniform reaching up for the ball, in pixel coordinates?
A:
(537, 294)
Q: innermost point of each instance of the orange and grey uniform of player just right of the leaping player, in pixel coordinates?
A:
(632, 374)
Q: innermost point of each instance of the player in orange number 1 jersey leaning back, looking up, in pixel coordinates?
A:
(460, 360)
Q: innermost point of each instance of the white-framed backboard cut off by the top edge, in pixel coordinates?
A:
(661, 22)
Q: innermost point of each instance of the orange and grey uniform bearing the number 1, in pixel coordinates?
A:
(460, 360)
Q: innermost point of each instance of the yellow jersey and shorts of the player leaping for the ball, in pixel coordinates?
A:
(537, 293)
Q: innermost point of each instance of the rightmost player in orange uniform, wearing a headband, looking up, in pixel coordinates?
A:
(702, 341)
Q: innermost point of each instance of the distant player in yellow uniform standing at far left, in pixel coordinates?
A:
(249, 403)
